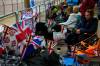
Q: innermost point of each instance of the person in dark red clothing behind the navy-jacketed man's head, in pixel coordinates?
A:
(86, 4)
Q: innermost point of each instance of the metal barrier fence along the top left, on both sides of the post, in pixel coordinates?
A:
(18, 5)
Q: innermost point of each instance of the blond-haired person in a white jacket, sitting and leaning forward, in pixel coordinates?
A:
(73, 18)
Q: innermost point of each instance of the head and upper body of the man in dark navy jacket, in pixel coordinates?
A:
(88, 24)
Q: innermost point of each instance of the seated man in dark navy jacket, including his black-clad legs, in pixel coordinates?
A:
(87, 27)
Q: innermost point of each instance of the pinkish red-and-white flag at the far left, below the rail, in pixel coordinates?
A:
(8, 37)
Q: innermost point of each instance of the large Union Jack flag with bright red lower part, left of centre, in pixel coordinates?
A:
(22, 31)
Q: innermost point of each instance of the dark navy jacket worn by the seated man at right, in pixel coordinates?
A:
(87, 27)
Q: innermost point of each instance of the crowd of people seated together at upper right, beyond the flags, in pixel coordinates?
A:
(79, 21)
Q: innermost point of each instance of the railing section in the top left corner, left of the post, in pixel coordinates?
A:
(10, 6)
